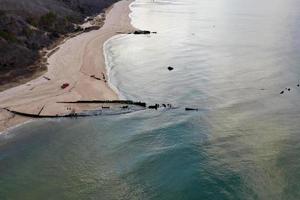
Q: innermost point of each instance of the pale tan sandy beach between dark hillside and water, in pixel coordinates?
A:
(79, 63)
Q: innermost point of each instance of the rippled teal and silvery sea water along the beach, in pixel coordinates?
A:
(231, 60)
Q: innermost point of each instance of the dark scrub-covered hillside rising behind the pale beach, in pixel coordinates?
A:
(27, 26)
